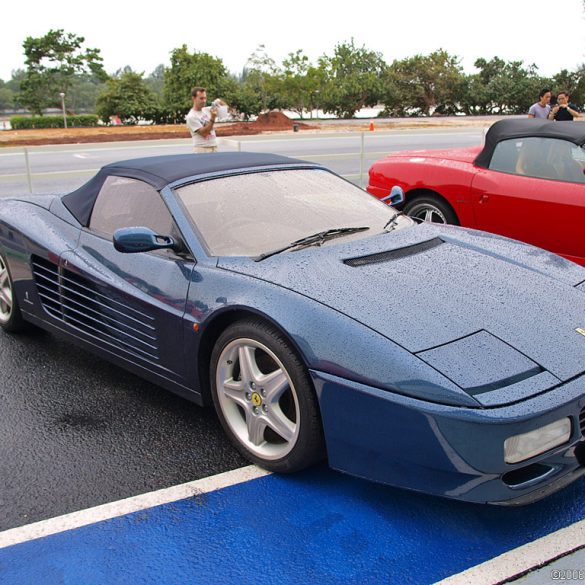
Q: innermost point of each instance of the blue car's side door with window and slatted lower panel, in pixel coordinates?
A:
(130, 305)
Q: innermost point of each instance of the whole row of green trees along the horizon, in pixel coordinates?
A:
(350, 78)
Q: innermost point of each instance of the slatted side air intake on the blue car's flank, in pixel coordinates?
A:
(74, 300)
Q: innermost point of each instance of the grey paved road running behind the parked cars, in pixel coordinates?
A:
(66, 167)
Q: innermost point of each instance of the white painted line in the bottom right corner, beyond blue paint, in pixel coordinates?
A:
(529, 556)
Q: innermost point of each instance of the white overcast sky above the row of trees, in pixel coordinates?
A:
(551, 34)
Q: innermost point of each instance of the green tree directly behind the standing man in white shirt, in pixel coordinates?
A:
(197, 69)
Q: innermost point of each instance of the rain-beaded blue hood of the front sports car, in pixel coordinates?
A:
(428, 286)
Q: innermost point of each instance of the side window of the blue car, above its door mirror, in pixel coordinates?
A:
(124, 202)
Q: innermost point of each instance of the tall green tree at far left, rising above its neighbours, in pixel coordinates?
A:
(52, 61)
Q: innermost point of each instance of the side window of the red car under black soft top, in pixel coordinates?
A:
(544, 158)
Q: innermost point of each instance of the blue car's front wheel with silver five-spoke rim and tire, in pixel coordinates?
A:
(265, 399)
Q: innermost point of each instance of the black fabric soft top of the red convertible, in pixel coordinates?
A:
(525, 127)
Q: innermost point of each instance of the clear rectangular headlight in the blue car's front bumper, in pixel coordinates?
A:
(521, 447)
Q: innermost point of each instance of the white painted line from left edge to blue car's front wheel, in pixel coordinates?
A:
(129, 505)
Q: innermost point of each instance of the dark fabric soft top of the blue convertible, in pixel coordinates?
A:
(159, 171)
